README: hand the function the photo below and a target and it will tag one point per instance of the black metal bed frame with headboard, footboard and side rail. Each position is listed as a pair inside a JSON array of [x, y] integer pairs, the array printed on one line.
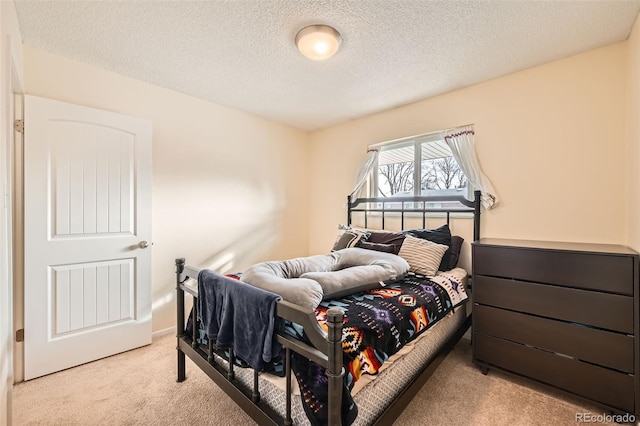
[[325, 348]]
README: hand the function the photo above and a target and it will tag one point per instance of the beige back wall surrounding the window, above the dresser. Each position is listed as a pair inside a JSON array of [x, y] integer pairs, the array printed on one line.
[[551, 138]]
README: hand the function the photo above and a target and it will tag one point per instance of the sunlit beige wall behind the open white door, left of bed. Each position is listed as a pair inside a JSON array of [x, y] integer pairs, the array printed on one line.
[[229, 188]]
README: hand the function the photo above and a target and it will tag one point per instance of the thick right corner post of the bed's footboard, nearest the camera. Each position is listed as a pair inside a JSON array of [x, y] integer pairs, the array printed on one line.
[[335, 372]]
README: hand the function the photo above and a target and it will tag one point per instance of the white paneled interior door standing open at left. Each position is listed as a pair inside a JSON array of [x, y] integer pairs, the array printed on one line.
[[87, 226]]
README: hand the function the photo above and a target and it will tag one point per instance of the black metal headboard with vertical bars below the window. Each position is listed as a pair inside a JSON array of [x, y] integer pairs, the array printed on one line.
[[416, 205]]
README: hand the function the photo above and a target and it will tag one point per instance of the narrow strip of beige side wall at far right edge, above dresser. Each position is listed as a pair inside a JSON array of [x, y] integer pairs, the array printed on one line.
[[633, 138]]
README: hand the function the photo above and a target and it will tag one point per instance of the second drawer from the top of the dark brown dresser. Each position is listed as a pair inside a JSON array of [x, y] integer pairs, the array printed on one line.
[[608, 311]]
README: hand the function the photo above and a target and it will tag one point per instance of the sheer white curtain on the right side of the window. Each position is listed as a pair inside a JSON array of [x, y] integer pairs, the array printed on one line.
[[461, 143]]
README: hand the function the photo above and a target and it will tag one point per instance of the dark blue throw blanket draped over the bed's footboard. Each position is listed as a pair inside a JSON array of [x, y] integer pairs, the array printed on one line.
[[238, 316]]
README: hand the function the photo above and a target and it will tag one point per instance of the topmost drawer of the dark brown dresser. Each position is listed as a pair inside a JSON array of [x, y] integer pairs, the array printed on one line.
[[610, 273]]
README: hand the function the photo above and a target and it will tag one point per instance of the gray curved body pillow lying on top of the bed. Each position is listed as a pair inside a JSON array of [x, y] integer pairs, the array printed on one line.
[[306, 281]]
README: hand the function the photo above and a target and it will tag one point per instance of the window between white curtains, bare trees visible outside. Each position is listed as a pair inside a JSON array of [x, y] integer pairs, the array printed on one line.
[[422, 165]]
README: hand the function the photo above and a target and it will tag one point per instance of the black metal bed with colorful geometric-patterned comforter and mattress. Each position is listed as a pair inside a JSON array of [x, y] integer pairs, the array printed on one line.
[[314, 341]]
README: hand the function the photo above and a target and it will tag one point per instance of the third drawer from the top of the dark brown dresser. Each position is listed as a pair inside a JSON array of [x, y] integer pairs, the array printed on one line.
[[600, 347]]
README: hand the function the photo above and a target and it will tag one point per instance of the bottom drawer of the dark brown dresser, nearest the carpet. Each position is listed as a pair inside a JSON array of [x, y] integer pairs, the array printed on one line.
[[596, 383]]
